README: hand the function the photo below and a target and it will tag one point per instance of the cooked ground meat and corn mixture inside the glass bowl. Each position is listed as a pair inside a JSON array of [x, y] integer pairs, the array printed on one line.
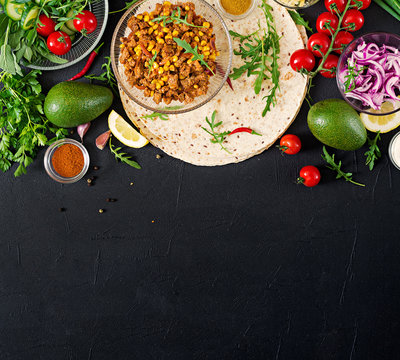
[[154, 62]]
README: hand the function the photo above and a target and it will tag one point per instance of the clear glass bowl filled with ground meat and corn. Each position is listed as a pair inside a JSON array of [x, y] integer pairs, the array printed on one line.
[[171, 57]]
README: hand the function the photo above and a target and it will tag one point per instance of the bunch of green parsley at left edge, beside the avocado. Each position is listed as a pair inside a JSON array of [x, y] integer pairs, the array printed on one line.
[[23, 125]]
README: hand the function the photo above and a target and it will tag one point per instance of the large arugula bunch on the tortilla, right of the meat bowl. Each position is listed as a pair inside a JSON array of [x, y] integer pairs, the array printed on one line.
[[260, 52]]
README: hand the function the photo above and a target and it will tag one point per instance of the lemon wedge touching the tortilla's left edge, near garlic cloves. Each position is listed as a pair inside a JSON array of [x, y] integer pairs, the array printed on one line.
[[125, 132]]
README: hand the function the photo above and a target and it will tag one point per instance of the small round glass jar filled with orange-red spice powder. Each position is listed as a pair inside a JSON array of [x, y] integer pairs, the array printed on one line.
[[66, 161]]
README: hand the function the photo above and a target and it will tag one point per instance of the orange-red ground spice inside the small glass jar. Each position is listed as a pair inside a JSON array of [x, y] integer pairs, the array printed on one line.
[[68, 160]]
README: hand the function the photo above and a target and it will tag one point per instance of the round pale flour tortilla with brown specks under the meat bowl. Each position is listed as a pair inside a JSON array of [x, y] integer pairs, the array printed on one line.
[[182, 135]]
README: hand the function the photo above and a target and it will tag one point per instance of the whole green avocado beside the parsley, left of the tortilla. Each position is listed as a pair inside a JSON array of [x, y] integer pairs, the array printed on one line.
[[70, 104]]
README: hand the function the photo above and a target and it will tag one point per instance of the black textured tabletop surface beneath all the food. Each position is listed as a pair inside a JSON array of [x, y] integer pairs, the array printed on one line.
[[240, 263]]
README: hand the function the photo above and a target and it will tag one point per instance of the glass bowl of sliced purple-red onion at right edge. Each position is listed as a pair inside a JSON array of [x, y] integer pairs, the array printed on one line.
[[368, 73]]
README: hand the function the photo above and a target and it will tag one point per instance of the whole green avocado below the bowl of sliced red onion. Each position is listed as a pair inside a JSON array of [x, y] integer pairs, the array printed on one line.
[[336, 124]]
